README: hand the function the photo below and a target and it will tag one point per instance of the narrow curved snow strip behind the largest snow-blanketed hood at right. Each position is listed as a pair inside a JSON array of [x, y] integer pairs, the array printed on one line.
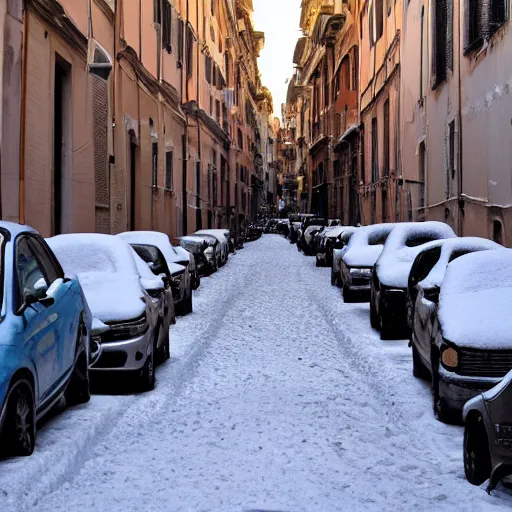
[[448, 248]]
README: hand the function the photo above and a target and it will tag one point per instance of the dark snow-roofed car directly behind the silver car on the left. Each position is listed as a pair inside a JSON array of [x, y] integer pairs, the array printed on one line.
[[151, 246]]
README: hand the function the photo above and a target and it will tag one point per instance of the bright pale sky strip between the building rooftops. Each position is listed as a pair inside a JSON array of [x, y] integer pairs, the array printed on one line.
[[279, 19]]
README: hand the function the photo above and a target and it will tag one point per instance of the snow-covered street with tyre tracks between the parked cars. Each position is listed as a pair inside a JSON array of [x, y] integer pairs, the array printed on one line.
[[279, 397]]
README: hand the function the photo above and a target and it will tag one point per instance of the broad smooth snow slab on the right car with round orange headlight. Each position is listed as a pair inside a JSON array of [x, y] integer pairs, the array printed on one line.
[[474, 305]]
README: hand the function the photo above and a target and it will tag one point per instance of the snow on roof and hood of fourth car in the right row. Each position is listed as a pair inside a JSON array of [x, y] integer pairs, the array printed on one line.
[[361, 252]]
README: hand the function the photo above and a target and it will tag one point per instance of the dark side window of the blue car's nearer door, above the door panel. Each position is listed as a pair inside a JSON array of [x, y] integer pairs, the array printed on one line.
[[29, 273]]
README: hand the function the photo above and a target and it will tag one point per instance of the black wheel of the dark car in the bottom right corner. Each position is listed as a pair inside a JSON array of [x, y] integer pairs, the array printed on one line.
[[477, 456]]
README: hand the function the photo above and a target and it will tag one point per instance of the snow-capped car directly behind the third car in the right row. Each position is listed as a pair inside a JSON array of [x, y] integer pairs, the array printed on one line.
[[363, 250]]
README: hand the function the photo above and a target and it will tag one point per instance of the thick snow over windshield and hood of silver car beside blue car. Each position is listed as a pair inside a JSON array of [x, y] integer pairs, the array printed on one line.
[[107, 272]]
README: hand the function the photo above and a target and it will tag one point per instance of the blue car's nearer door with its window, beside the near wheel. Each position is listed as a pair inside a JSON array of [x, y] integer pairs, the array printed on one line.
[[39, 321]]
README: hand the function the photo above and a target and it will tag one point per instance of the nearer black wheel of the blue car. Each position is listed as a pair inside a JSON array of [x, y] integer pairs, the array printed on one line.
[[20, 426]]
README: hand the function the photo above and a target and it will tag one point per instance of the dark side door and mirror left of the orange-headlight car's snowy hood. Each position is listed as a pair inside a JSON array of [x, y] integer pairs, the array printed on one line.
[[425, 301]]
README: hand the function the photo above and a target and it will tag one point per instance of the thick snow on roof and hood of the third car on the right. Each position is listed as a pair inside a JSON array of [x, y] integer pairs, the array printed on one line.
[[403, 245]]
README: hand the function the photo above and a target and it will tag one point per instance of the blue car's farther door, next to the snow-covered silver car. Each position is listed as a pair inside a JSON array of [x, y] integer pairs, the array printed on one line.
[[67, 304]]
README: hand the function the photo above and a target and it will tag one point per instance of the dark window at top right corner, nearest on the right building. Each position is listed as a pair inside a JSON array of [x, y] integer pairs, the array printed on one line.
[[483, 19]]
